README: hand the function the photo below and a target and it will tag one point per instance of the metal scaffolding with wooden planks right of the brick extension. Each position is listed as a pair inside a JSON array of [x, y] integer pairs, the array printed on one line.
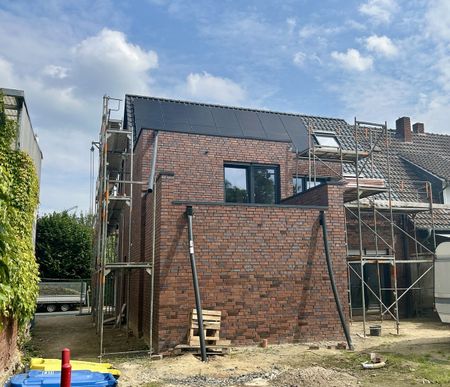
[[369, 194]]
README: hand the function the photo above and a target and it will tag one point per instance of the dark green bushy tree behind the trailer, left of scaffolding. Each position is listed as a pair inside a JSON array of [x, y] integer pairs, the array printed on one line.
[[64, 245]]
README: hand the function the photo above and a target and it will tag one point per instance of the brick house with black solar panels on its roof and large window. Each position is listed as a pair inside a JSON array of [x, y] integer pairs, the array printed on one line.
[[259, 248]]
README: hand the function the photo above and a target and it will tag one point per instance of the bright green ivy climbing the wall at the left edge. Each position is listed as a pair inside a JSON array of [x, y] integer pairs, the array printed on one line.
[[18, 203]]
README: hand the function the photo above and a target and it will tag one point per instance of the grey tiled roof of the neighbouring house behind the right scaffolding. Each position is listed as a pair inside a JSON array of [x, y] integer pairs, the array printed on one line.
[[409, 166]]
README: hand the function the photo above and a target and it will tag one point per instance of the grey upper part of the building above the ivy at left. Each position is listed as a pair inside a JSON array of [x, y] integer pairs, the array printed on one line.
[[16, 110]]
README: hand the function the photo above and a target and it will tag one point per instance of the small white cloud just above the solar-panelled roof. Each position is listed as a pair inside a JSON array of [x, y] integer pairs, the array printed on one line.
[[211, 88]]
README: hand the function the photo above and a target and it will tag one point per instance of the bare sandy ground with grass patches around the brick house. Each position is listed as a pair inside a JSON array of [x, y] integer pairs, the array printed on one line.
[[420, 354]]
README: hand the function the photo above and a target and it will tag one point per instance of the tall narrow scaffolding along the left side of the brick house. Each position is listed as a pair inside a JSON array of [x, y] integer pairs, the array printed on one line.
[[112, 265]]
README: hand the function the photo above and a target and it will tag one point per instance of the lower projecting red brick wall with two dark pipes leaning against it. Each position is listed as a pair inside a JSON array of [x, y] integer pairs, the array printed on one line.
[[264, 267]]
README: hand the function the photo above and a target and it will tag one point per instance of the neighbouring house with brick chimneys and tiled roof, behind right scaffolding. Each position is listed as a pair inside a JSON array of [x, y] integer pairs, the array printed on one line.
[[415, 167]]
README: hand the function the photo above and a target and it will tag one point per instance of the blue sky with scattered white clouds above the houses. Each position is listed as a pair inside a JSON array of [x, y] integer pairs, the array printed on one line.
[[376, 60]]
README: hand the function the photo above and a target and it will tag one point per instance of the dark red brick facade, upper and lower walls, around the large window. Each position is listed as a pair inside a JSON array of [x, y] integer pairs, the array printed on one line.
[[263, 266]]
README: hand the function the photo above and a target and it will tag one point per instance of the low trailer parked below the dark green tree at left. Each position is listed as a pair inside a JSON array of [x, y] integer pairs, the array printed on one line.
[[61, 295]]
